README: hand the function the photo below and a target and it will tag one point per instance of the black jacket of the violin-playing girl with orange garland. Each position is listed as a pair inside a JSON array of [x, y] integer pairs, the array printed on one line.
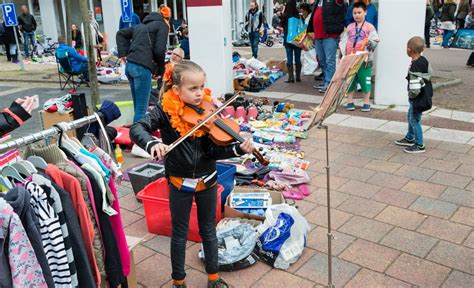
[[193, 158]]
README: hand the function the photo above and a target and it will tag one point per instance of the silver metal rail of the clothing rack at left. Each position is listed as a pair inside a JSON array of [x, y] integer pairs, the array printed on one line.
[[23, 141]]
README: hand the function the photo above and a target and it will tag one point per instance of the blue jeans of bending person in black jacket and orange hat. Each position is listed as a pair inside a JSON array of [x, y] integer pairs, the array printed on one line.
[[139, 78]]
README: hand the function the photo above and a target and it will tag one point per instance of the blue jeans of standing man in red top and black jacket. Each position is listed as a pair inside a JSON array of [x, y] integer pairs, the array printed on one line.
[[326, 50]]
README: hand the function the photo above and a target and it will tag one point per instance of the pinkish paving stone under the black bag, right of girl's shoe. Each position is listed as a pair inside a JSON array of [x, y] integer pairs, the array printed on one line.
[[246, 277]]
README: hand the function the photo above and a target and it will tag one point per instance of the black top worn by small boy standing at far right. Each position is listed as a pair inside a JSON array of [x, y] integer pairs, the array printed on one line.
[[423, 101]]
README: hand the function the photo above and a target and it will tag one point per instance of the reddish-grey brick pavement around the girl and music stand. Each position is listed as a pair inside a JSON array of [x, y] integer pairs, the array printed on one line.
[[398, 220]]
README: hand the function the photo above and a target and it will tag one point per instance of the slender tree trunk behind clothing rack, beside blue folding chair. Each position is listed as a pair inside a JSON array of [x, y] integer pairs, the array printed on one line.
[[89, 45]]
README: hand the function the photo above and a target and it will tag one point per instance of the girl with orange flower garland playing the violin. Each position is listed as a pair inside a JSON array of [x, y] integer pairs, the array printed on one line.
[[190, 167]]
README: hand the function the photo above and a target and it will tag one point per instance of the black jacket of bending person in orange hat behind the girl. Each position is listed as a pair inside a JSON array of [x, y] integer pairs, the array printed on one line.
[[145, 44]]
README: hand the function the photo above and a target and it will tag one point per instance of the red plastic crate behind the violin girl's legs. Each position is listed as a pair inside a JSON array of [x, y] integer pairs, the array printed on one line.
[[155, 197]]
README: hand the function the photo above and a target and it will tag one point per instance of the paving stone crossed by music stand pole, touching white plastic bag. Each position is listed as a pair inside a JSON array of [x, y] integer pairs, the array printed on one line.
[[318, 240]]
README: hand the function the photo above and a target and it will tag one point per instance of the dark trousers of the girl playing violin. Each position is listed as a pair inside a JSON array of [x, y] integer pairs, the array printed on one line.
[[180, 206]]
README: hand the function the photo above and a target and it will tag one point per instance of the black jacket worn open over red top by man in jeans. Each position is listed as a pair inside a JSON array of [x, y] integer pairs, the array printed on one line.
[[334, 12]]
